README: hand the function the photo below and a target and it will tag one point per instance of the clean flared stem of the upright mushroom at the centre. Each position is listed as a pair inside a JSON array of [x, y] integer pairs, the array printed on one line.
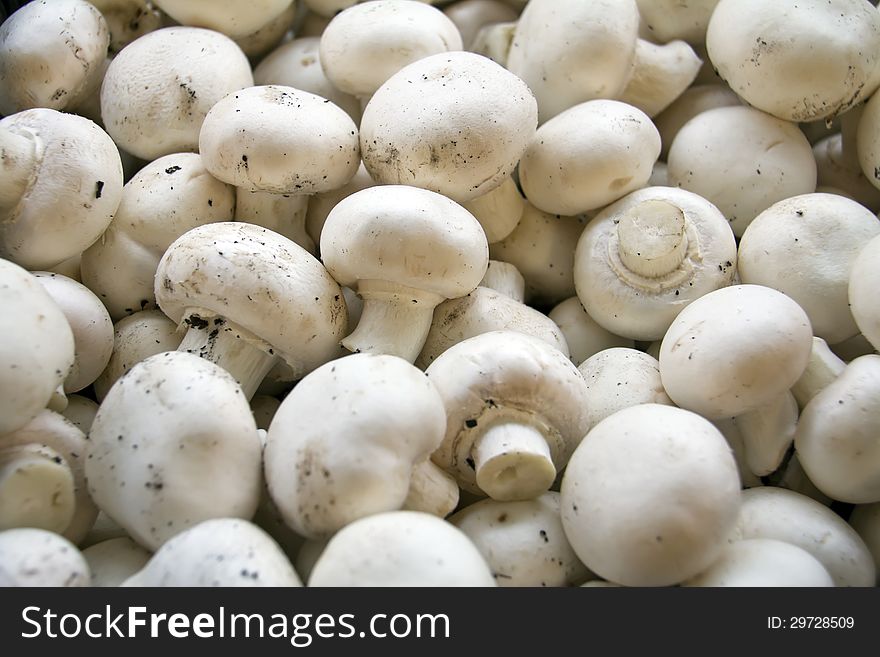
[[395, 320]]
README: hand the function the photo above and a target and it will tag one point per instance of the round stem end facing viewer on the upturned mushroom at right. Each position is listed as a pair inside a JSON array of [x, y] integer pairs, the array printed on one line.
[[652, 238]]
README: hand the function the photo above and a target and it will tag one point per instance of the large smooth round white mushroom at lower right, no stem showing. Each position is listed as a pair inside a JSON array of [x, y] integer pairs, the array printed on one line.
[[650, 496]]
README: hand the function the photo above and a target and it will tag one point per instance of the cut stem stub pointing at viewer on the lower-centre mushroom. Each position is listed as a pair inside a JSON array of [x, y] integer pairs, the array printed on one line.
[[513, 462]]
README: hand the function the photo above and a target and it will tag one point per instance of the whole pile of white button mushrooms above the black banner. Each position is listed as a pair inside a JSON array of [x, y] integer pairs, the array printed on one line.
[[440, 293]]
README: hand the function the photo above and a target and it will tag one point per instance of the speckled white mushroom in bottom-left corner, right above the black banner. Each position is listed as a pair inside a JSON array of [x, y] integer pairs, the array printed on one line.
[[36, 557]]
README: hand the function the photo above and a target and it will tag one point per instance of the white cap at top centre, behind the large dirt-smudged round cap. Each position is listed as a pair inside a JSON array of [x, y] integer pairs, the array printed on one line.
[[366, 44]]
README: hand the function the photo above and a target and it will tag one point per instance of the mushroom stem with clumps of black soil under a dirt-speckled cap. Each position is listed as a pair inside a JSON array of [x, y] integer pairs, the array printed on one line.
[[247, 358]]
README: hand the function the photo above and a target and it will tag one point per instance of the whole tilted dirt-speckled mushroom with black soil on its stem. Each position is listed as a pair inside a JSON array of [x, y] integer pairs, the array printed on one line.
[[250, 298]]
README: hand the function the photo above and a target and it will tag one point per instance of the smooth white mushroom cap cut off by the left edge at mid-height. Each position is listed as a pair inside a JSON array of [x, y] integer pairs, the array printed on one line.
[[37, 349]]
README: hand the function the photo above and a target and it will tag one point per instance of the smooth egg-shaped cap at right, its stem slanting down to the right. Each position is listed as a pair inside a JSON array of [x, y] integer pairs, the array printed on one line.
[[733, 349]]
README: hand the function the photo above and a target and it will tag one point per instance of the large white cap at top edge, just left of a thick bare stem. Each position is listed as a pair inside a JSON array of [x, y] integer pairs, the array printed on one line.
[[572, 51]]
